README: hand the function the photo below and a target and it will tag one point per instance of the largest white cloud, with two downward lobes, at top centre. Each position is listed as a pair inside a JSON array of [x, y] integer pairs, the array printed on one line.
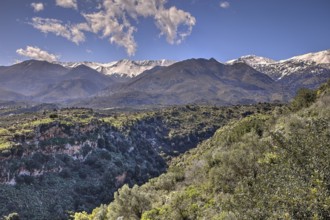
[[113, 22]]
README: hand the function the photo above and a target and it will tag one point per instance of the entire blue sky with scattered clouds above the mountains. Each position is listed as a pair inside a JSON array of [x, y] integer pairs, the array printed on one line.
[[108, 30]]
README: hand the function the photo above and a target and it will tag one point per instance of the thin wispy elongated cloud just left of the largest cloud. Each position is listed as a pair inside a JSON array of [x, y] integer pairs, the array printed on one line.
[[72, 32]]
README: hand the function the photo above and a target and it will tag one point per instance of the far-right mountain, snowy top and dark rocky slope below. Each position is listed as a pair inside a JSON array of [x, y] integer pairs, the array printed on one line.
[[309, 70]]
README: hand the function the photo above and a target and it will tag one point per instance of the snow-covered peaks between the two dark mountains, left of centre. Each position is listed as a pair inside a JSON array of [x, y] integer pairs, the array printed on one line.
[[122, 68]]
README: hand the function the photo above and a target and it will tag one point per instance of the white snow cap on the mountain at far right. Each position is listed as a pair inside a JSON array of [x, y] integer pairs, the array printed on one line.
[[311, 63]]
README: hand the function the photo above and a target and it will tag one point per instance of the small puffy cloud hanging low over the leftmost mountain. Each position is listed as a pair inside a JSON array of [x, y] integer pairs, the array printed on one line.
[[37, 53]]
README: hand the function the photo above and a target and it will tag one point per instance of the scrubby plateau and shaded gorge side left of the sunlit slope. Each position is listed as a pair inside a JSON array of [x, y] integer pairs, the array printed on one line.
[[61, 160]]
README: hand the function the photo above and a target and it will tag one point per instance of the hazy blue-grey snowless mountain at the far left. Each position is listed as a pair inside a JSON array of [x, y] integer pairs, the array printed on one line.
[[47, 82]]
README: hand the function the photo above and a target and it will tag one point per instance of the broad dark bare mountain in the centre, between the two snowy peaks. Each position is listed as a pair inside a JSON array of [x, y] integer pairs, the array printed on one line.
[[191, 81]]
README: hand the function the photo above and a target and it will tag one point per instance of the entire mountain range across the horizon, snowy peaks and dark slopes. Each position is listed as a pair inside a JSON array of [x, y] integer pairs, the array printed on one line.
[[248, 79]]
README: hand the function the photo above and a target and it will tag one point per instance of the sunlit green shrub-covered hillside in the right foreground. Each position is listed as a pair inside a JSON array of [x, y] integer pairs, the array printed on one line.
[[261, 167]]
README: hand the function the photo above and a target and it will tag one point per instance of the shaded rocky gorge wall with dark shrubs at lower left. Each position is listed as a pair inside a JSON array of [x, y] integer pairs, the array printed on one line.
[[77, 166]]
